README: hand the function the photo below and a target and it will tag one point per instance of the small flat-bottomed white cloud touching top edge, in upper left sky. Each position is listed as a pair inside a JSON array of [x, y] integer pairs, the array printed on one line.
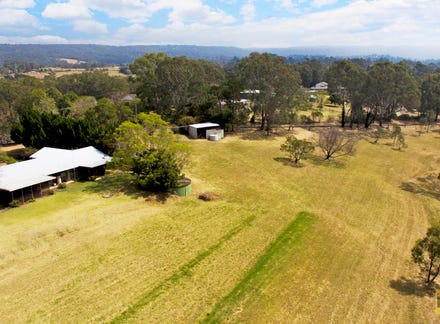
[[74, 9]]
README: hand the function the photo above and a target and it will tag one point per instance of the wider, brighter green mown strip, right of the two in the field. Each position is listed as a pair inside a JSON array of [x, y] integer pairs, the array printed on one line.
[[264, 268]]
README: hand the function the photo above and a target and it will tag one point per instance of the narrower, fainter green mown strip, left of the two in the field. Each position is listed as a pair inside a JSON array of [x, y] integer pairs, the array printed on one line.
[[183, 271]]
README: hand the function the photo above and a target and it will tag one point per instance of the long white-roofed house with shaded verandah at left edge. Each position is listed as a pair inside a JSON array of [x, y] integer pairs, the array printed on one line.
[[46, 168]]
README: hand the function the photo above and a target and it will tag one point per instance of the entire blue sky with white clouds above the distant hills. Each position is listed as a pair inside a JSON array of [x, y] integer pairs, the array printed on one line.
[[399, 27]]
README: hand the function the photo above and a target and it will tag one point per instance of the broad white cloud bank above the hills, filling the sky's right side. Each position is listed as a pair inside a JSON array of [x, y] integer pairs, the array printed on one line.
[[378, 23]]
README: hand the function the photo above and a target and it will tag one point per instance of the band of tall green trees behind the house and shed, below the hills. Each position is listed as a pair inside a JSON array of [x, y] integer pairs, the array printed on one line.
[[184, 91]]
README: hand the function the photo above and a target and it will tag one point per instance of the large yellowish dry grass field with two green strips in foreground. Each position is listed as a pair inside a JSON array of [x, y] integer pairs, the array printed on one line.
[[328, 242]]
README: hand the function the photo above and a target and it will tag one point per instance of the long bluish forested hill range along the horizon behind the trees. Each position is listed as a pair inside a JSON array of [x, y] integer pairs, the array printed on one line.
[[60, 54]]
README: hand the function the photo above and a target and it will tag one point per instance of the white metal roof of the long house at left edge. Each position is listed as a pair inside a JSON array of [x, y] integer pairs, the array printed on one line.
[[48, 161]]
